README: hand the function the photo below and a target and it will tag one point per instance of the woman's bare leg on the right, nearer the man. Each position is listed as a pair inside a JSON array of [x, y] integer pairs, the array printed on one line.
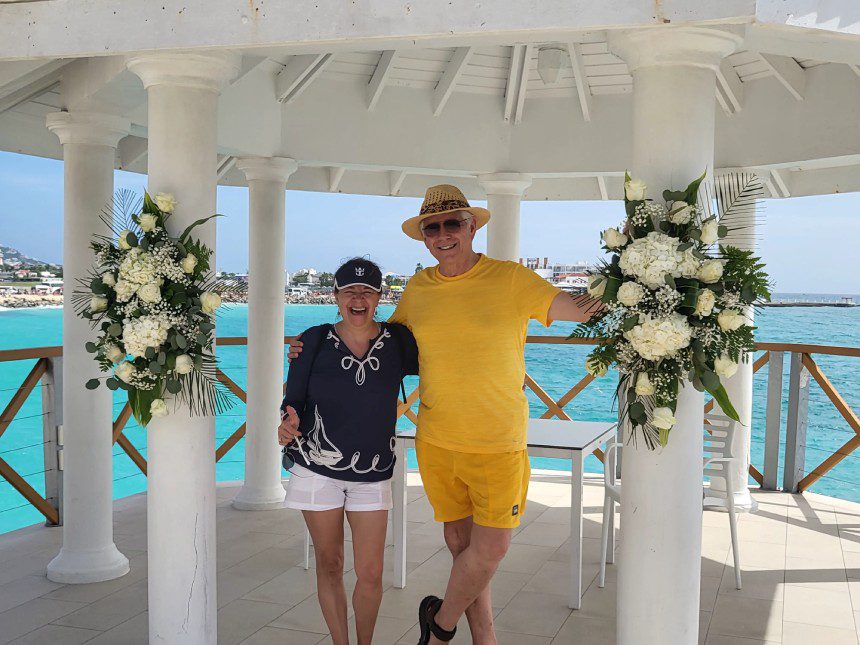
[[368, 547]]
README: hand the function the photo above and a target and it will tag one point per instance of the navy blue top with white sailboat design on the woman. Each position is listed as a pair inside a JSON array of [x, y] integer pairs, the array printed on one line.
[[347, 405]]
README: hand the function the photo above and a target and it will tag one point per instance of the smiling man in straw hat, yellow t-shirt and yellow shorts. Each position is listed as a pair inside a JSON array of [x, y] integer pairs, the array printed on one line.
[[469, 315]]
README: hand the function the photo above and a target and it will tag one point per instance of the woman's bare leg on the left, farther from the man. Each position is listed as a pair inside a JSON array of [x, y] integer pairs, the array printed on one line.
[[326, 529]]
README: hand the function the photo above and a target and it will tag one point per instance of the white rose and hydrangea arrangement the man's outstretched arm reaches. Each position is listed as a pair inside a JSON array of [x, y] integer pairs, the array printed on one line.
[[670, 301]]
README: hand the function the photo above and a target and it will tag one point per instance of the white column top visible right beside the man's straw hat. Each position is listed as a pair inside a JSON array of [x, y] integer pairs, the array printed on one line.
[[504, 194]]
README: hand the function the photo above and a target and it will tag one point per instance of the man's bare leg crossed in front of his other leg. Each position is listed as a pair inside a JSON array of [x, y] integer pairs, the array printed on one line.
[[471, 575]]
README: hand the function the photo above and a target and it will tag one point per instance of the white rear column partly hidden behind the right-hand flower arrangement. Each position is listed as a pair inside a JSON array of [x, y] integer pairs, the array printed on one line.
[[740, 389]]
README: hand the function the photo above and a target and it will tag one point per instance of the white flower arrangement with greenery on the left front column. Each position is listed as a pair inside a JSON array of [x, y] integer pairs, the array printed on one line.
[[153, 299]]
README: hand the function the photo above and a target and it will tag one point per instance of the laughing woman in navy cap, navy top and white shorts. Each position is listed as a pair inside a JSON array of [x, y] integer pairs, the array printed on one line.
[[339, 413]]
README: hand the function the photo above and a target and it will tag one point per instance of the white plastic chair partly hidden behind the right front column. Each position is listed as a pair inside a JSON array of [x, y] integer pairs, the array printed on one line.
[[718, 436]]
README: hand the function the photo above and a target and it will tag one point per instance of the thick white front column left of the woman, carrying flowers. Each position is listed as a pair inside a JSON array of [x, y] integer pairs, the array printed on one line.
[[183, 92]]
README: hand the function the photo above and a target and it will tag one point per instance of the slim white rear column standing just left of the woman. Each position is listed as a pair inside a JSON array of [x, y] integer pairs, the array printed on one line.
[[267, 183]]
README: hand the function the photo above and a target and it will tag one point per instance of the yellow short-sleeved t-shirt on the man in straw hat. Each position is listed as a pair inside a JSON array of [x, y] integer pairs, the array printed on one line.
[[471, 333]]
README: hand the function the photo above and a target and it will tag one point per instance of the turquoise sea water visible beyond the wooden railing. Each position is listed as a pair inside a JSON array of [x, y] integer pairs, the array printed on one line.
[[555, 368]]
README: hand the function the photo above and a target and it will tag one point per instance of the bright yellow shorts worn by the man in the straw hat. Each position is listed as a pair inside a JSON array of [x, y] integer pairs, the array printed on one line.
[[489, 487]]
